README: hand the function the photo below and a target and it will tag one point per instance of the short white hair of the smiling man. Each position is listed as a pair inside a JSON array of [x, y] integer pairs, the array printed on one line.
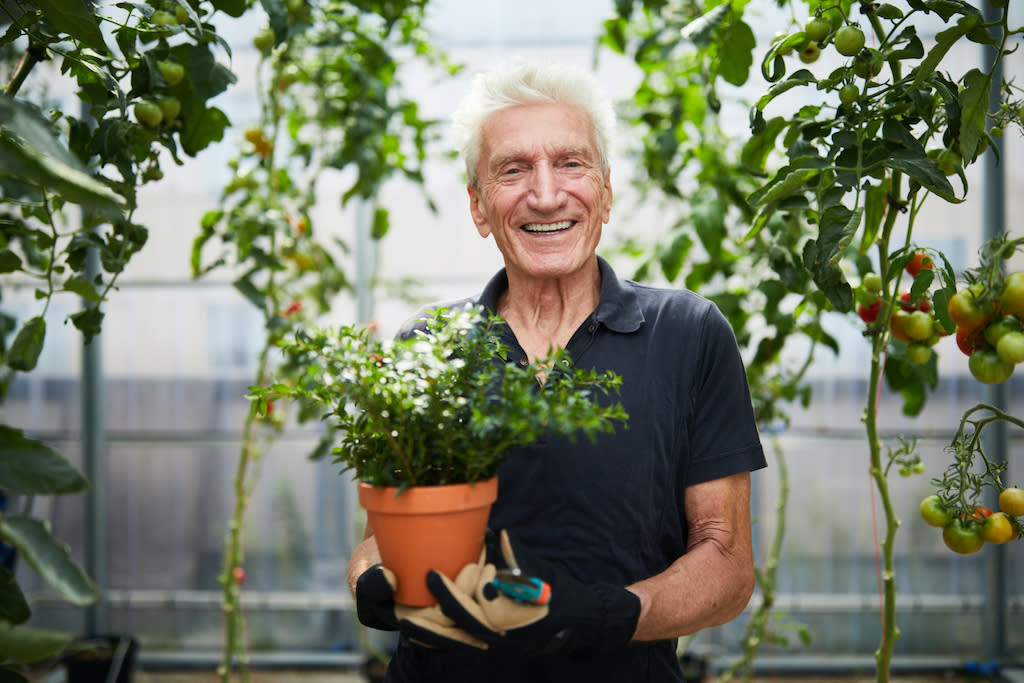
[[521, 82]]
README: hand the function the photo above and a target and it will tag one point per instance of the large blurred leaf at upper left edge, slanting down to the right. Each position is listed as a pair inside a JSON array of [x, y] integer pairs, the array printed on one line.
[[32, 154]]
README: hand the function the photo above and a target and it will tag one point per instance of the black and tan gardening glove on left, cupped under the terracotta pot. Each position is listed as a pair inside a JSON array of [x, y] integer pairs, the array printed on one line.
[[430, 627]]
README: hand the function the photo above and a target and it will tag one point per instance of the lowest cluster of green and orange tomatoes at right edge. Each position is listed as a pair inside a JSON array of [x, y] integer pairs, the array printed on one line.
[[967, 534]]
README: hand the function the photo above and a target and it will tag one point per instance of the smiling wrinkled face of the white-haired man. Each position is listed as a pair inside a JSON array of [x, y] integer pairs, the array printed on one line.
[[542, 194]]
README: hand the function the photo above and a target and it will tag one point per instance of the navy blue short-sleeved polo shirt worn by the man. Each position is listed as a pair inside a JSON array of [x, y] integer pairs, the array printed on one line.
[[613, 511]]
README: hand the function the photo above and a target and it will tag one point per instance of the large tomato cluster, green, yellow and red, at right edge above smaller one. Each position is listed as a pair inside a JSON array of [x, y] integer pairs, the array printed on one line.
[[991, 327]]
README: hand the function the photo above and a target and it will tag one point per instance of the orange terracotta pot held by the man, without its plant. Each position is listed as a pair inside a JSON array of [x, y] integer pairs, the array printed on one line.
[[429, 528]]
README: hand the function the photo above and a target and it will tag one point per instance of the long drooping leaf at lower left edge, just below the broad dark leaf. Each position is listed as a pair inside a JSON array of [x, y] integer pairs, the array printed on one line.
[[50, 559]]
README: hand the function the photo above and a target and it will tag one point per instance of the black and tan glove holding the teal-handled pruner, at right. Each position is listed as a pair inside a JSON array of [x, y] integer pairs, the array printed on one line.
[[580, 619]]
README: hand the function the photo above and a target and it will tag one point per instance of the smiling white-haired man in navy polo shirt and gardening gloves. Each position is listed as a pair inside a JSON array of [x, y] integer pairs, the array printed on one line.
[[645, 536]]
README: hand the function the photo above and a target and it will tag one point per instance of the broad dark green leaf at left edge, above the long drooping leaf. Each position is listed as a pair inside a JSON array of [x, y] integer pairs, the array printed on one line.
[[28, 467]]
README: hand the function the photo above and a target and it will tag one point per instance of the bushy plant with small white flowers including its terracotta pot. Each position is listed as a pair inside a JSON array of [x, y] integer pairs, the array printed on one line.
[[433, 416]]
